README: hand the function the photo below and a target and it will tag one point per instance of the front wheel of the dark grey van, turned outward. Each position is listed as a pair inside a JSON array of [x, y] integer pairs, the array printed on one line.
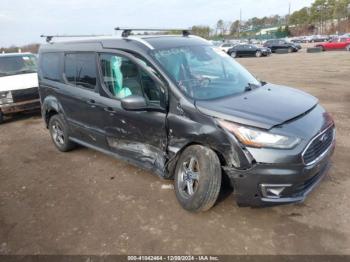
[[197, 178]]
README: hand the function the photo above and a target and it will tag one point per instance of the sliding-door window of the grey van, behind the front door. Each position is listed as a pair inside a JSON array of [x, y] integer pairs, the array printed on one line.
[[80, 69]]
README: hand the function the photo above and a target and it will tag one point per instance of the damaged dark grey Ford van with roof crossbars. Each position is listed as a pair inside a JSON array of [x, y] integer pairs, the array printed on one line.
[[184, 109]]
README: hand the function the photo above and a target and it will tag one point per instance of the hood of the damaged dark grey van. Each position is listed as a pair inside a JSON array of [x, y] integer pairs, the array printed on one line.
[[263, 107]]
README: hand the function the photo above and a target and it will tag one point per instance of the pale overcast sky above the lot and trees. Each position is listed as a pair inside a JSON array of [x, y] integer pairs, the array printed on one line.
[[23, 21]]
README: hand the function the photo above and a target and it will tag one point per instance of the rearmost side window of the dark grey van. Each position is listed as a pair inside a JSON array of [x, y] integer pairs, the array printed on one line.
[[50, 66]]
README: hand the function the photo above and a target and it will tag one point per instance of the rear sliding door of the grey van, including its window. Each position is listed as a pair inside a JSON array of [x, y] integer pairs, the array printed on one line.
[[79, 96]]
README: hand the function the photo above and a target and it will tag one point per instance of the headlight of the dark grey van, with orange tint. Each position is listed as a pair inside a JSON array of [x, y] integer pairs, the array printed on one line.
[[257, 138]]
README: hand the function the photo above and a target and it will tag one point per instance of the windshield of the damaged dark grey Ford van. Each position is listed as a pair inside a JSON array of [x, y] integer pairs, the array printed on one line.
[[205, 72]]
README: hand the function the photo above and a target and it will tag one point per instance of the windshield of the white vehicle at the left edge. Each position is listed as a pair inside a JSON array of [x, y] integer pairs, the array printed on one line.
[[17, 64]]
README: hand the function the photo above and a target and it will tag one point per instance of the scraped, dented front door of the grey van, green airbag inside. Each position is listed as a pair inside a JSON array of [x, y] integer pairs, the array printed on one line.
[[137, 135]]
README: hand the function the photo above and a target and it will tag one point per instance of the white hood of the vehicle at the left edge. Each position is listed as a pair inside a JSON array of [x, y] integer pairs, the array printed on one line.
[[16, 82]]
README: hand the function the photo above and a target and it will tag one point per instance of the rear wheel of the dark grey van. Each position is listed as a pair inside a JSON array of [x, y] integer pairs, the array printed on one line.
[[59, 134]]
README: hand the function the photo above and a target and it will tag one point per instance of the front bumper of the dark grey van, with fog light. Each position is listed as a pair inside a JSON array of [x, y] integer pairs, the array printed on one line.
[[276, 184]]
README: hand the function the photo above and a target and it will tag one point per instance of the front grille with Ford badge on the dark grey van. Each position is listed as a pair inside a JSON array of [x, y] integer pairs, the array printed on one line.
[[318, 146]]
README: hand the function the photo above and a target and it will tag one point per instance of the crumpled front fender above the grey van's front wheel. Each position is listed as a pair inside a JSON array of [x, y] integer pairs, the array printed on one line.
[[186, 126]]
